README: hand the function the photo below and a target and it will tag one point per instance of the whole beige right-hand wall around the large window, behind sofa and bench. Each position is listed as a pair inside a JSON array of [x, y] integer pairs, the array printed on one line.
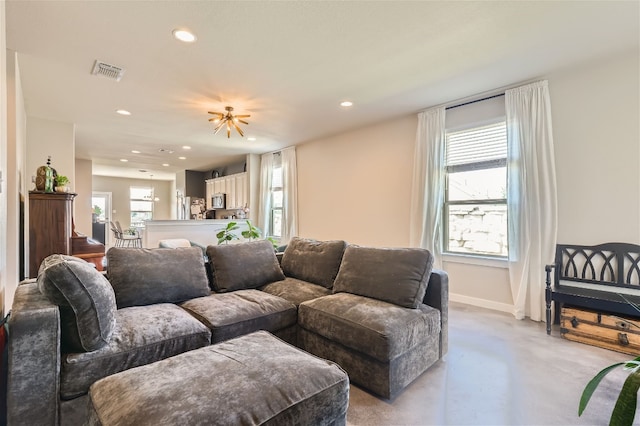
[[356, 186]]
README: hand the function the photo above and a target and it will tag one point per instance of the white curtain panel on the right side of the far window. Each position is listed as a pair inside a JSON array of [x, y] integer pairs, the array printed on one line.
[[290, 195]]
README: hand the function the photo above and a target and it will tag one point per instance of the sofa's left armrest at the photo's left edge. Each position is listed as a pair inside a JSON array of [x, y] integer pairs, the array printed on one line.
[[33, 383]]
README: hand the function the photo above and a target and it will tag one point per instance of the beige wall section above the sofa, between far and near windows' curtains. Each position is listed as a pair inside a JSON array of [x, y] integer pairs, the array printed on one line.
[[356, 186]]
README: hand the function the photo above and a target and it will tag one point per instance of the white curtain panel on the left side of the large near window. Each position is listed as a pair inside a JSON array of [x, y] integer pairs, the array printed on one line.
[[427, 192]]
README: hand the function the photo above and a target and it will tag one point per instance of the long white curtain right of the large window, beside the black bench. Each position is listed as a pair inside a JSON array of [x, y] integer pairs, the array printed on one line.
[[532, 198]]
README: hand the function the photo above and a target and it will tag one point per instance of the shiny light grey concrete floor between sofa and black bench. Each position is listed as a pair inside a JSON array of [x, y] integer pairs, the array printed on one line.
[[499, 371]]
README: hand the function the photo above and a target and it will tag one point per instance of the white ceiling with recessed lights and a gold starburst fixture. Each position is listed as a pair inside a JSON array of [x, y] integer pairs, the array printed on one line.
[[287, 63]]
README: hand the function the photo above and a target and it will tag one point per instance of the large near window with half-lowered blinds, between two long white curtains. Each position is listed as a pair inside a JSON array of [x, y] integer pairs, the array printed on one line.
[[475, 210]]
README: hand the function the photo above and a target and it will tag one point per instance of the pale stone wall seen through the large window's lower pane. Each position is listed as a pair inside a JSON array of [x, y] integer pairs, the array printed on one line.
[[480, 229]]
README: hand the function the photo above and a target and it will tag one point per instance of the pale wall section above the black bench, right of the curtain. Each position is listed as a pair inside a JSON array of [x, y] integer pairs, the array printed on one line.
[[597, 145]]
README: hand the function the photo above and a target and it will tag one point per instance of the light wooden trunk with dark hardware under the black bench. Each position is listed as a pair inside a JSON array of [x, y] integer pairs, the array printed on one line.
[[602, 329]]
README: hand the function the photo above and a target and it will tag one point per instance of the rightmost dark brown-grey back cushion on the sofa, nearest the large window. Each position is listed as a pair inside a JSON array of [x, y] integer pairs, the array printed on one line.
[[394, 275]]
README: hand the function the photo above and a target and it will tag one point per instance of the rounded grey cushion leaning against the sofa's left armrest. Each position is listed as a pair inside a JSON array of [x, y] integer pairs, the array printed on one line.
[[86, 300]]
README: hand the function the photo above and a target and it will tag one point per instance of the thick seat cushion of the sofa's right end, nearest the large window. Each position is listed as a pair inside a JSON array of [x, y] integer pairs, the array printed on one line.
[[381, 330]]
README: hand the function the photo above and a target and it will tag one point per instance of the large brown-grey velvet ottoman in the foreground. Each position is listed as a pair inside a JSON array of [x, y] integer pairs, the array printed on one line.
[[250, 380]]
